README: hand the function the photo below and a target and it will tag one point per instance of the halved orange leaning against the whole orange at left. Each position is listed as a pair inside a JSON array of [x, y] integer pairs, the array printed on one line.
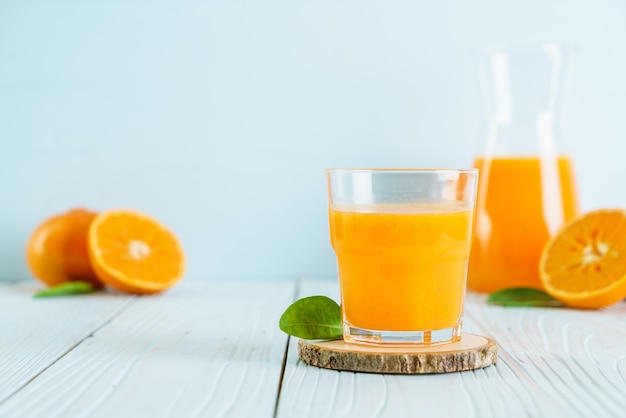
[[134, 253]]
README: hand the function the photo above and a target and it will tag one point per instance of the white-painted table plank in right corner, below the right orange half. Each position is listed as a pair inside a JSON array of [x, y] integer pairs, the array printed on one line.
[[577, 358]]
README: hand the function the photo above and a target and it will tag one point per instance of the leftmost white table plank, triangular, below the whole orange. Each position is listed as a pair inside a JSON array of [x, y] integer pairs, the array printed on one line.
[[37, 332]]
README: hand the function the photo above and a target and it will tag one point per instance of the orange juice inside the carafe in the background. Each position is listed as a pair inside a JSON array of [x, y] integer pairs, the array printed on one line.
[[521, 202]]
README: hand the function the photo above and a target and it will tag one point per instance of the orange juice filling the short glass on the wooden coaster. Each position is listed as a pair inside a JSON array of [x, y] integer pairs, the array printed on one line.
[[402, 266]]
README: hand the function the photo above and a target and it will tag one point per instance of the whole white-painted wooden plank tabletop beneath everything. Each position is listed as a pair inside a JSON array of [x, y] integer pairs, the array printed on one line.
[[212, 349]]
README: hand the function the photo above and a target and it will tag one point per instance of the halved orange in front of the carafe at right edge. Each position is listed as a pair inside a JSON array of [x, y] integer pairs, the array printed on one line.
[[584, 264]]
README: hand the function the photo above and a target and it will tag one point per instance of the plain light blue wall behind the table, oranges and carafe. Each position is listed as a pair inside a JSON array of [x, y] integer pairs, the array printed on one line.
[[219, 117]]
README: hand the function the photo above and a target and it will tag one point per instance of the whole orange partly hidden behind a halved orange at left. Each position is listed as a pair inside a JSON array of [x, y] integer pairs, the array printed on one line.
[[57, 249]]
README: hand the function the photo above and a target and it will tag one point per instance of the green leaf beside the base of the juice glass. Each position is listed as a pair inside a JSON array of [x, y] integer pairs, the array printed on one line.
[[313, 318]]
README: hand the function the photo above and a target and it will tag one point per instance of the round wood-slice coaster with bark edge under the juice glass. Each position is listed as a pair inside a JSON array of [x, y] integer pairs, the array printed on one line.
[[472, 352]]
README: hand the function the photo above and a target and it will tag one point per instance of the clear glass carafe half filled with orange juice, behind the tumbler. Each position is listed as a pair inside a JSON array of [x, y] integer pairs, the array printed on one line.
[[526, 188]]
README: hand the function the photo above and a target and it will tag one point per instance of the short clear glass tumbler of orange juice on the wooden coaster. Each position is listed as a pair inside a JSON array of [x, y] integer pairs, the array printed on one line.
[[402, 240]]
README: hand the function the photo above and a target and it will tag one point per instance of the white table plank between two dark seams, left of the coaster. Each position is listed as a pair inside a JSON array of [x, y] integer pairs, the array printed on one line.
[[203, 349]]
